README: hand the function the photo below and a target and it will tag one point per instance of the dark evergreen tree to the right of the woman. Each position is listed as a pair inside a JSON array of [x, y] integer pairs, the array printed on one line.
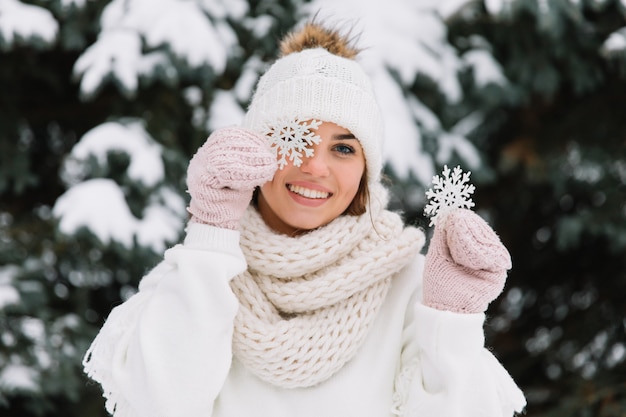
[[556, 140]]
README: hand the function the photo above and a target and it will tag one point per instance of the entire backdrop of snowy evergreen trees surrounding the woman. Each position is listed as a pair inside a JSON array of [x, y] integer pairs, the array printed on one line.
[[532, 115]]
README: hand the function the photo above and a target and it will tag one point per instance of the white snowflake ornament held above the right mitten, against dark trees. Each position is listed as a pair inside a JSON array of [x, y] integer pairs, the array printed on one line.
[[450, 192]]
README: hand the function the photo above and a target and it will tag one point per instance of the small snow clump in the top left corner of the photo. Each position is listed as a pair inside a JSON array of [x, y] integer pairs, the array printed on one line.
[[25, 21]]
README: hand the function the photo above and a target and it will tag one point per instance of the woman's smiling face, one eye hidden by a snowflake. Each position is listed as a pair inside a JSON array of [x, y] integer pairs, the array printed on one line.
[[315, 193]]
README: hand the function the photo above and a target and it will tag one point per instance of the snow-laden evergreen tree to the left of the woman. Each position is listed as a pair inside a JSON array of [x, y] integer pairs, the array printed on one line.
[[103, 102]]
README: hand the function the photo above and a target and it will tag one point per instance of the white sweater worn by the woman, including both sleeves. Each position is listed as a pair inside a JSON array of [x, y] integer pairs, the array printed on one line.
[[172, 351]]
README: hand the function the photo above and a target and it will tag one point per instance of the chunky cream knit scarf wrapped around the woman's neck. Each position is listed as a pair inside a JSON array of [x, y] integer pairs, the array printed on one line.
[[307, 302]]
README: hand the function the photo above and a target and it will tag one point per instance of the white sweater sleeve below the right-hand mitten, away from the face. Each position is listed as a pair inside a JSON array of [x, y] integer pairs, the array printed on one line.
[[446, 370]]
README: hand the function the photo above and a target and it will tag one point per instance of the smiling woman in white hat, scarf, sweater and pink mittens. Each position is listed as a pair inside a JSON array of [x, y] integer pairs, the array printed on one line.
[[313, 300]]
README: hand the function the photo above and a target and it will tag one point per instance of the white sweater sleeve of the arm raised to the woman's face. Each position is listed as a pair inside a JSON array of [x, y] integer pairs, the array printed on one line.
[[166, 351]]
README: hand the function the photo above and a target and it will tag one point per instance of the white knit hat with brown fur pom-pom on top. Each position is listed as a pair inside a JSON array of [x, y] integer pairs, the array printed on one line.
[[317, 78]]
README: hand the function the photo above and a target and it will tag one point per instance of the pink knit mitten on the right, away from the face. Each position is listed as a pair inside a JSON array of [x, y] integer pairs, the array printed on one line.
[[466, 264]]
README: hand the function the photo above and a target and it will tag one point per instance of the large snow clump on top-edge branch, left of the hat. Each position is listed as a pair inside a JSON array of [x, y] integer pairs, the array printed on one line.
[[180, 27]]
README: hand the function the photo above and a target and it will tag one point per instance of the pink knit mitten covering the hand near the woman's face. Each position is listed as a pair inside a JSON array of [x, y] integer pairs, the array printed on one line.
[[223, 174]]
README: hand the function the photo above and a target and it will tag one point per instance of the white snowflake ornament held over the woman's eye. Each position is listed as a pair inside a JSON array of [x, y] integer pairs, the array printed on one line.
[[292, 139]]
